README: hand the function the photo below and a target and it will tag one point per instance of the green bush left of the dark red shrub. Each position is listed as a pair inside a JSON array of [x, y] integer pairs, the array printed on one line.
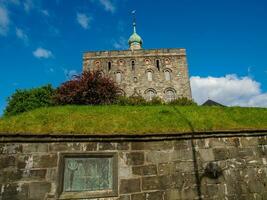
[[29, 99]]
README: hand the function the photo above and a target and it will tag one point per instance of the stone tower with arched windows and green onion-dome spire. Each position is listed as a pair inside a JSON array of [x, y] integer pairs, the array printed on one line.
[[145, 72]]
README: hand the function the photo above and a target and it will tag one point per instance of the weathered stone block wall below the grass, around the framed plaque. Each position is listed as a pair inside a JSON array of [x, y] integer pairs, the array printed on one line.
[[148, 170]]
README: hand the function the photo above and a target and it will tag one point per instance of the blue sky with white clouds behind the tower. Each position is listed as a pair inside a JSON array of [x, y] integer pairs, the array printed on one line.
[[42, 41]]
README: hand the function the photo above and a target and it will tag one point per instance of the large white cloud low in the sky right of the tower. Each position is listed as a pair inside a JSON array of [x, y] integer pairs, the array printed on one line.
[[229, 90]]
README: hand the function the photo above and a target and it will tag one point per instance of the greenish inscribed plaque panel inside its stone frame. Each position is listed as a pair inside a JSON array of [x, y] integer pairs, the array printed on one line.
[[88, 174]]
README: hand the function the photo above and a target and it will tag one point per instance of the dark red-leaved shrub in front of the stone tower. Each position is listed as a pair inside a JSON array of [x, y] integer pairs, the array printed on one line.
[[89, 88]]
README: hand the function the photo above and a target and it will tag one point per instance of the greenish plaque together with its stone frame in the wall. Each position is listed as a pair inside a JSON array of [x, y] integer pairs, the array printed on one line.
[[88, 175]]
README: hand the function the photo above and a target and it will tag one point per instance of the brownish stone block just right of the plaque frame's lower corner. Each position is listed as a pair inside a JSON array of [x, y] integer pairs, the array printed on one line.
[[130, 186]]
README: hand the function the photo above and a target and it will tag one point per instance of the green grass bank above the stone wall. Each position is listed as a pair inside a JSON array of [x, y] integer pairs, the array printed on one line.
[[133, 120]]
